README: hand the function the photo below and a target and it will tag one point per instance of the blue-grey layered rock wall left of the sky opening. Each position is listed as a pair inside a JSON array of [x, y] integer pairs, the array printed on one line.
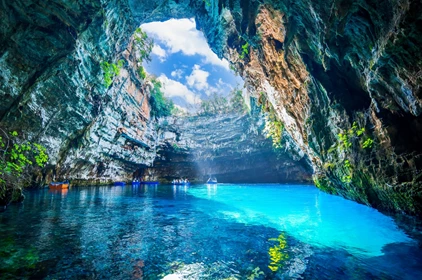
[[53, 91]]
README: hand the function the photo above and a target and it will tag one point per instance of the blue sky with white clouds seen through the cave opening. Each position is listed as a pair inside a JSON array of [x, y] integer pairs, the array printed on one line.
[[185, 64]]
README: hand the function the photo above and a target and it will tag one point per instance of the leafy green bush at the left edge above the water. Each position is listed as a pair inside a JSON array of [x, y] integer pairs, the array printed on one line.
[[16, 163]]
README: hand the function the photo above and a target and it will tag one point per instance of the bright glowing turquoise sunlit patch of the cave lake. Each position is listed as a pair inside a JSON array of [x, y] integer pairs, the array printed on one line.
[[307, 214]]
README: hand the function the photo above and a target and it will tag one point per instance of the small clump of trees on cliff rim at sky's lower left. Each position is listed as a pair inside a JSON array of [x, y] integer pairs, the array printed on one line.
[[160, 105]]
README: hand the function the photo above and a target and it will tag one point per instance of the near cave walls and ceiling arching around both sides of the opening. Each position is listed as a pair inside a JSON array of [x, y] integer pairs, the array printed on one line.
[[343, 76]]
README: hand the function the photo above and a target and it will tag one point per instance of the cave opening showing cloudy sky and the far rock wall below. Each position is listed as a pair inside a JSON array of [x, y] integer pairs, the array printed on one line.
[[212, 131]]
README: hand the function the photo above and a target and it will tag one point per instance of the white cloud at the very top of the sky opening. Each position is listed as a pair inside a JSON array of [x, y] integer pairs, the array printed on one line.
[[181, 35]]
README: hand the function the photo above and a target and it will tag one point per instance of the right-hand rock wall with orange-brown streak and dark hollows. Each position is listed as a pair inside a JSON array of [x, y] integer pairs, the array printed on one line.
[[344, 78]]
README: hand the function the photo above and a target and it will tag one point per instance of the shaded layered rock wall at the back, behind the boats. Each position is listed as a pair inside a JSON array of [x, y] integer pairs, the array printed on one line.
[[233, 148]]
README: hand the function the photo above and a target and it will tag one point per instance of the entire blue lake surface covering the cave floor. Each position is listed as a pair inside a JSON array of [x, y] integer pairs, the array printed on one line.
[[200, 232]]
